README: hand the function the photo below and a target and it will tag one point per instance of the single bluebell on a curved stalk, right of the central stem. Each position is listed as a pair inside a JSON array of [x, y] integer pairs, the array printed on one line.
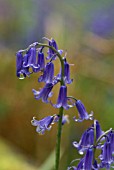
[[83, 115]]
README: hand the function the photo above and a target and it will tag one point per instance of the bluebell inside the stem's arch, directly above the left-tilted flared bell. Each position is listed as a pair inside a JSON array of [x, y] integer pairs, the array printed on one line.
[[48, 74]]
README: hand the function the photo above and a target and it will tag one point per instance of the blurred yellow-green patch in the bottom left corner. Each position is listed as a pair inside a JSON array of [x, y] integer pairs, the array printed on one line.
[[11, 159]]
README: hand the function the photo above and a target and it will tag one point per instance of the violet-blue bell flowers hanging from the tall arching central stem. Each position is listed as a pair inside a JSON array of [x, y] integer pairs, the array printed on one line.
[[33, 60]]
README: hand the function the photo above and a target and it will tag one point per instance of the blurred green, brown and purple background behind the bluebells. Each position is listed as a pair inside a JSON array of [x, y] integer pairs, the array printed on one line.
[[83, 28]]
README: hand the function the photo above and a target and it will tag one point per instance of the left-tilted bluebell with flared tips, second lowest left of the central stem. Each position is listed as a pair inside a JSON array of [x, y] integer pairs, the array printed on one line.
[[44, 93]]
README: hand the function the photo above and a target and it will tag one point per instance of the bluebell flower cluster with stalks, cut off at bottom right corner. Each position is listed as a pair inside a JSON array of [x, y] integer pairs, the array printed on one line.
[[91, 140]]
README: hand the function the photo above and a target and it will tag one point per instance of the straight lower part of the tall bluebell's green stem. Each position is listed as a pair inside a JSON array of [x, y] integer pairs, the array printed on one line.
[[58, 141]]
